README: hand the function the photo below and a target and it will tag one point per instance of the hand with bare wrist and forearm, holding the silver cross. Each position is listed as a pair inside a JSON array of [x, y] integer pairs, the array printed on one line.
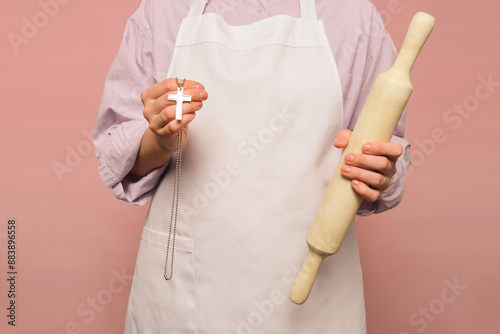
[[159, 142]]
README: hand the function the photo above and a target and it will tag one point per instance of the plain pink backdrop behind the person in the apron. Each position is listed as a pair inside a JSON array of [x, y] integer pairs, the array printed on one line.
[[74, 237]]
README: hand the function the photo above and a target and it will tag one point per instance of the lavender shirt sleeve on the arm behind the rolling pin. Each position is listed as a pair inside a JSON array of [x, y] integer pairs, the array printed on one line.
[[381, 55]]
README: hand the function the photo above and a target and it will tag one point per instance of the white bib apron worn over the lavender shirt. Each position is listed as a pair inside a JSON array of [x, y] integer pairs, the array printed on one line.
[[257, 163]]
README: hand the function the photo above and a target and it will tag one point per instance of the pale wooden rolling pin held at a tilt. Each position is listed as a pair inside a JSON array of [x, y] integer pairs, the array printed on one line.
[[377, 122]]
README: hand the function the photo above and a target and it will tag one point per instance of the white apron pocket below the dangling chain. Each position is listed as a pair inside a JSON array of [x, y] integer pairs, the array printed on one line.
[[157, 305]]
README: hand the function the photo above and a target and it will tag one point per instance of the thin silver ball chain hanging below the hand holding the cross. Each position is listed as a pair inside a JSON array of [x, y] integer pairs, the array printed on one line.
[[175, 209]]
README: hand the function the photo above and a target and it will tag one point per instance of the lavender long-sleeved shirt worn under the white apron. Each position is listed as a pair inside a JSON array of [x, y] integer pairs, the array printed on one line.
[[361, 46]]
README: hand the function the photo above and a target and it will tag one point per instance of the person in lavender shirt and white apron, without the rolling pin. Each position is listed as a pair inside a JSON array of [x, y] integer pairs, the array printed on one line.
[[287, 79]]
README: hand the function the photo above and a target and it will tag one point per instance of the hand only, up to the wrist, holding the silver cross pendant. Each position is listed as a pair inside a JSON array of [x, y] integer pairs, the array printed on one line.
[[160, 111]]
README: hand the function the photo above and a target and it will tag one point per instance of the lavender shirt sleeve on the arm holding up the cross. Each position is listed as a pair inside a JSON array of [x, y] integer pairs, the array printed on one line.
[[120, 123]]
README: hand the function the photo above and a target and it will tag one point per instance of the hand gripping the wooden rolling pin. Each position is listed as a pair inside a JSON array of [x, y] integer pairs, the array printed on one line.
[[370, 171]]
